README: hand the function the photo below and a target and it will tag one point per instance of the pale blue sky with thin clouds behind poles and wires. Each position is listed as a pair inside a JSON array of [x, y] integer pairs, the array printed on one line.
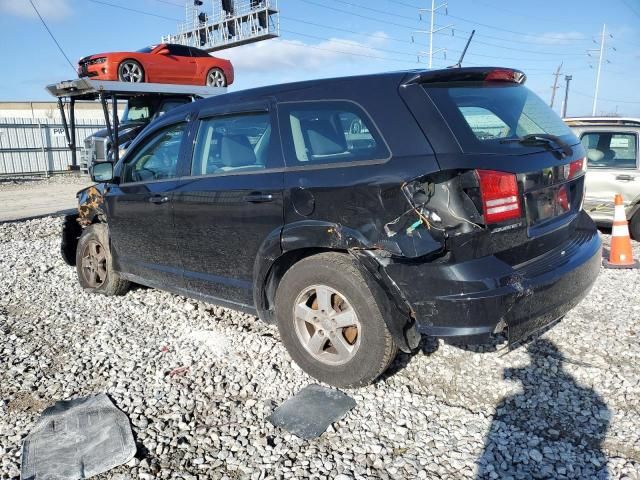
[[323, 38]]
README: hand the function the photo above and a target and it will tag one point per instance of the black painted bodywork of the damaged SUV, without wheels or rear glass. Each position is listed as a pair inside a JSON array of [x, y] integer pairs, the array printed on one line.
[[228, 237]]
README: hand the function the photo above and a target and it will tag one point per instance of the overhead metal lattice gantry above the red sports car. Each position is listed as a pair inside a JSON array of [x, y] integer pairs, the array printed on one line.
[[223, 24]]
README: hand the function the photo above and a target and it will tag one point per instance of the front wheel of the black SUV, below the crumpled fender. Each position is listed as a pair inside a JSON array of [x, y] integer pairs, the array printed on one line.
[[94, 264]]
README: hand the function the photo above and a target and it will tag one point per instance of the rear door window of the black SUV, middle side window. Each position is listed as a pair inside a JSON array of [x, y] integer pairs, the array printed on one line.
[[233, 143]]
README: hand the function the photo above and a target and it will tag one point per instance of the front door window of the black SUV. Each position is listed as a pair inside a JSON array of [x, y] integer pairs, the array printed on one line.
[[157, 159]]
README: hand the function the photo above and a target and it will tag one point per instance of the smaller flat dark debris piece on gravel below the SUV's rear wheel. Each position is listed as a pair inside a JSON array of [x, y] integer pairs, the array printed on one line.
[[309, 412]]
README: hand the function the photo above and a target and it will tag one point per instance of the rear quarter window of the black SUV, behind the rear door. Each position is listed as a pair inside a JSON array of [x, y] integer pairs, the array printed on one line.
[[330, 132]]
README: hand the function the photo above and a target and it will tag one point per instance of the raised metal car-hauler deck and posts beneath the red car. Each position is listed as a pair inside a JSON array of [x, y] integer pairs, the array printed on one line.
[[109, 93]]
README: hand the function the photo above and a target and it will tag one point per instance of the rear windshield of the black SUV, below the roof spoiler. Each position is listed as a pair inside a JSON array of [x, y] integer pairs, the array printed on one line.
[[482, 116]]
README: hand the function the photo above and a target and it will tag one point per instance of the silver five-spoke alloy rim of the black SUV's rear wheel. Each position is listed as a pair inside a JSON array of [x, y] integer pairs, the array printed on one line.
[[327, 325]]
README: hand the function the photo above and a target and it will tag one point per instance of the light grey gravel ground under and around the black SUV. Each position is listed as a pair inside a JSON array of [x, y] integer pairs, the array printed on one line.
[[198, 383]]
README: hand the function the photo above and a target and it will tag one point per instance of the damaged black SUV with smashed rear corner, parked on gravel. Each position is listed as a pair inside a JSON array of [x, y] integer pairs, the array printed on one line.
[[358, 213]]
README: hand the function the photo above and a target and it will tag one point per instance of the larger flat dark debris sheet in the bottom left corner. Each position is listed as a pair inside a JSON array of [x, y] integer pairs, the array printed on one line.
[[77, 439]]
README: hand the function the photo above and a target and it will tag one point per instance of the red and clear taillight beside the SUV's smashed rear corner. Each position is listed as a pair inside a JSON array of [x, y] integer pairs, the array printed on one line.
[[500, 196]]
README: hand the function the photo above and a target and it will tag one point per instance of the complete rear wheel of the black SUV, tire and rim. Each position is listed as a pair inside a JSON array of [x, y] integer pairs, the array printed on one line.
[[333, 280]]
